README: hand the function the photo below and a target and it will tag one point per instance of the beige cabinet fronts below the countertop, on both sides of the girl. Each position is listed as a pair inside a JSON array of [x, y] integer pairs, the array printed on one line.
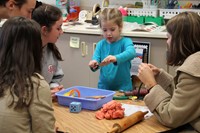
[[75, 66]]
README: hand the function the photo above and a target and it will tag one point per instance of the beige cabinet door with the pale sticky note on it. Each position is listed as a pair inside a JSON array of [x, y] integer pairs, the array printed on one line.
[[75, 66]]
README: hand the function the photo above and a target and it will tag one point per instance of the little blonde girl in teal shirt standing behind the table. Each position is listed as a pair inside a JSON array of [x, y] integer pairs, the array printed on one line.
[[113, 54]]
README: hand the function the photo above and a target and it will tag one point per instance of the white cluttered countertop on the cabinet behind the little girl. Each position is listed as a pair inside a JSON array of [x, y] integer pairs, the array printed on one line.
[[129, 29]]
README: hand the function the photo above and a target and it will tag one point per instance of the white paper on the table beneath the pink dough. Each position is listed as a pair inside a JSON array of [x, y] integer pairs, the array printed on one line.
[[130, 109]]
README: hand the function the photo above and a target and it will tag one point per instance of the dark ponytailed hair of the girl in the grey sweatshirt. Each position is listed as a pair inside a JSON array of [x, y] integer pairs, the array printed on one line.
[[47, 15]]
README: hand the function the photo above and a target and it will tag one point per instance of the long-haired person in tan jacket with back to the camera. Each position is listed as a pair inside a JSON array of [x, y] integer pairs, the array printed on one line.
[[25, 97]]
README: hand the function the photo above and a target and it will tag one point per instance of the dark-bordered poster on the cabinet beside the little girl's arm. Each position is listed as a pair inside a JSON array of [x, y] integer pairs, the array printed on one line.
[[142, 55]]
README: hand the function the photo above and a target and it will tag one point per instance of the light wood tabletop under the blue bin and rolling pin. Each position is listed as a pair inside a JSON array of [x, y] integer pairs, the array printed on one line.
[[86, 122]]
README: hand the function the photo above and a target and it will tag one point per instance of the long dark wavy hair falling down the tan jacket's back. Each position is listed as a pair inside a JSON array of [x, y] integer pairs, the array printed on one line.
[[20, 58]]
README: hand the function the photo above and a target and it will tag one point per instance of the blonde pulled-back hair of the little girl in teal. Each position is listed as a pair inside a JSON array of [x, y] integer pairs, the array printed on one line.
[[111, 14]]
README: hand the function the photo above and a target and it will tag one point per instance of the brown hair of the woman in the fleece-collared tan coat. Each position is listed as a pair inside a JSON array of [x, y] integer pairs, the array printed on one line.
[[185, 31]]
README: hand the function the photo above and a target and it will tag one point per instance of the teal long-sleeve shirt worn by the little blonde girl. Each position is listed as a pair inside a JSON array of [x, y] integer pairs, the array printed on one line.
[[115, 76]]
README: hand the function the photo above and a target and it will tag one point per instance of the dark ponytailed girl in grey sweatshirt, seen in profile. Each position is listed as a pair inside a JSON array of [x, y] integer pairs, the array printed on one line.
[[50, 19]]
